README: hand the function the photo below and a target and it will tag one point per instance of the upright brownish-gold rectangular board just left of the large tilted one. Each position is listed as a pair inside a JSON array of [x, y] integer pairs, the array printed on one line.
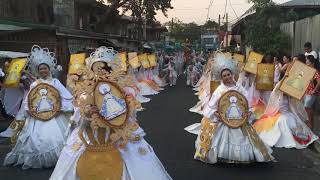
[[265, 77]]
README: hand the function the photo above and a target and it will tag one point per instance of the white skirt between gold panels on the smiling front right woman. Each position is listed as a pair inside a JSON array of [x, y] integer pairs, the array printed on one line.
[[231, 145]]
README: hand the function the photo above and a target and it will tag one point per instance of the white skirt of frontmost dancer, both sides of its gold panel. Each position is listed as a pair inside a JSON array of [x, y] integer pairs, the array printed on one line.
[[136, 166]]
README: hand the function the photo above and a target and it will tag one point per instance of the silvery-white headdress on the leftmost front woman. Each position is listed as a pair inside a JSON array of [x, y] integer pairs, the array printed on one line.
[[39, 56]]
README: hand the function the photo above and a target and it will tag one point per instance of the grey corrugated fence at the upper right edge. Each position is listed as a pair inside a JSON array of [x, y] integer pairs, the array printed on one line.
[[305, 30]]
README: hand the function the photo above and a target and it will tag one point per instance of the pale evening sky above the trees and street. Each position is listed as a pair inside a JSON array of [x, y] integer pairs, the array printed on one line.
[[197, 10]]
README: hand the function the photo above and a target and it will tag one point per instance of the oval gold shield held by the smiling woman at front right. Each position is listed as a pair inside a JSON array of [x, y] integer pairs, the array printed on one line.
[[233, 109]]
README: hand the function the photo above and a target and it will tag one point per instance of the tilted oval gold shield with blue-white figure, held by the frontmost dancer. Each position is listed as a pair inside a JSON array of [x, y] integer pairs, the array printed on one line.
[[112, 104]]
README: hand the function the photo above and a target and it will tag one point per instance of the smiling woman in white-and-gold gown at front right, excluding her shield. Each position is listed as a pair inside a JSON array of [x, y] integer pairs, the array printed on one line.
[[217, 141]]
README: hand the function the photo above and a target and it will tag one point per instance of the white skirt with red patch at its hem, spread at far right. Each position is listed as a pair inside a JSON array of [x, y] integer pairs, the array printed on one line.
[[289, 132]]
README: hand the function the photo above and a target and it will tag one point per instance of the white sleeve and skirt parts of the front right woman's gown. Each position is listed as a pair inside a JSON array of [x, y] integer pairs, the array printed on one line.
[[228, 144]]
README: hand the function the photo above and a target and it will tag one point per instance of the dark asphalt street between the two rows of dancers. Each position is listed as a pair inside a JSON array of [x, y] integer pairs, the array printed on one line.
[[164, 121]]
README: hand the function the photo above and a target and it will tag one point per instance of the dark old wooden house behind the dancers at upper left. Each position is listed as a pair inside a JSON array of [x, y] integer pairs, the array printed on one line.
[[65, 27]]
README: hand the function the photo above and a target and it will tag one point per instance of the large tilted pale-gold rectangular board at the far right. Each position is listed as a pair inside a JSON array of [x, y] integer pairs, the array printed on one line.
[[296, 84]]
